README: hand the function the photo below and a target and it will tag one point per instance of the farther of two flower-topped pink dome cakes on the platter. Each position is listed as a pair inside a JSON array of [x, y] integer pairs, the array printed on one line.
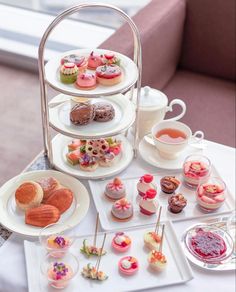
[[115, 190]]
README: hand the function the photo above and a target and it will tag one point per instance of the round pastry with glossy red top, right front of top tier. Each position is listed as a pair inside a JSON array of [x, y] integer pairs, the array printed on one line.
[[109, 75]]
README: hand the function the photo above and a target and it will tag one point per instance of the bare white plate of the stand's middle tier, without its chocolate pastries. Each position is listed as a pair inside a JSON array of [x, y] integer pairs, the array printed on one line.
[[59, 117]]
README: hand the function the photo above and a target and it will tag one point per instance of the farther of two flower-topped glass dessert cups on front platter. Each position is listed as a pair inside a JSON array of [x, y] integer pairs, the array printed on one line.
[[54, 237]]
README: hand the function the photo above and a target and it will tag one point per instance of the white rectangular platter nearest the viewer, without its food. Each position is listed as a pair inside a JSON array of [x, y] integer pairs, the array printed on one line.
[[177, 271]]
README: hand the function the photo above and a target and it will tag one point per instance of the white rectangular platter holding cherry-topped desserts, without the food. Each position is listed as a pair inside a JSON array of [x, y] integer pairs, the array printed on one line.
[[191, 211]]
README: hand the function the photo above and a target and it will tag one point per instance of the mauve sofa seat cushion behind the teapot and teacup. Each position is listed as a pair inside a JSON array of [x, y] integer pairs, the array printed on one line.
[[210, 104]]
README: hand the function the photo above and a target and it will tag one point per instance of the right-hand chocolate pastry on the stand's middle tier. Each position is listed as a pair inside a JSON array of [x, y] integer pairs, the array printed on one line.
[[104, 112]]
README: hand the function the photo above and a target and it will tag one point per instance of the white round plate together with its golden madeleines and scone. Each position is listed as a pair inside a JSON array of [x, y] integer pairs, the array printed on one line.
[[21, 201]]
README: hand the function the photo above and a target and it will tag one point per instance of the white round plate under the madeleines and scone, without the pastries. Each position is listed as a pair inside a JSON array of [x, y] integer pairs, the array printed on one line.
[[14, 219]]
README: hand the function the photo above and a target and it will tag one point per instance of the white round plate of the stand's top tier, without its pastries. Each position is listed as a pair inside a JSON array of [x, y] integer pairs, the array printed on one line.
[[52, 73]]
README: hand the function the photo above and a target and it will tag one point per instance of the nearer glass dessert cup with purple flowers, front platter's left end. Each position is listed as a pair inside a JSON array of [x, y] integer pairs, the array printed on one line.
[[59, 268]]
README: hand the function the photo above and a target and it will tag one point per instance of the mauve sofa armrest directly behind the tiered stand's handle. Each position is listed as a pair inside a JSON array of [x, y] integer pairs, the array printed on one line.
[[161, 26]]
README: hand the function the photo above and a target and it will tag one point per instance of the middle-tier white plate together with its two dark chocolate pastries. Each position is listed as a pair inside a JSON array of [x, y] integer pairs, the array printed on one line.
[[118, 112]]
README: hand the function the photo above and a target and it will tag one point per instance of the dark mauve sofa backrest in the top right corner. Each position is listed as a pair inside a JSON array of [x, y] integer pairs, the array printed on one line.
[[209, 38]]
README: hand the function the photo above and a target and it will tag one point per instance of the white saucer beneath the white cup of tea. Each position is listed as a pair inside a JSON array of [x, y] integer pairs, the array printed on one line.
[[150, 154]]
